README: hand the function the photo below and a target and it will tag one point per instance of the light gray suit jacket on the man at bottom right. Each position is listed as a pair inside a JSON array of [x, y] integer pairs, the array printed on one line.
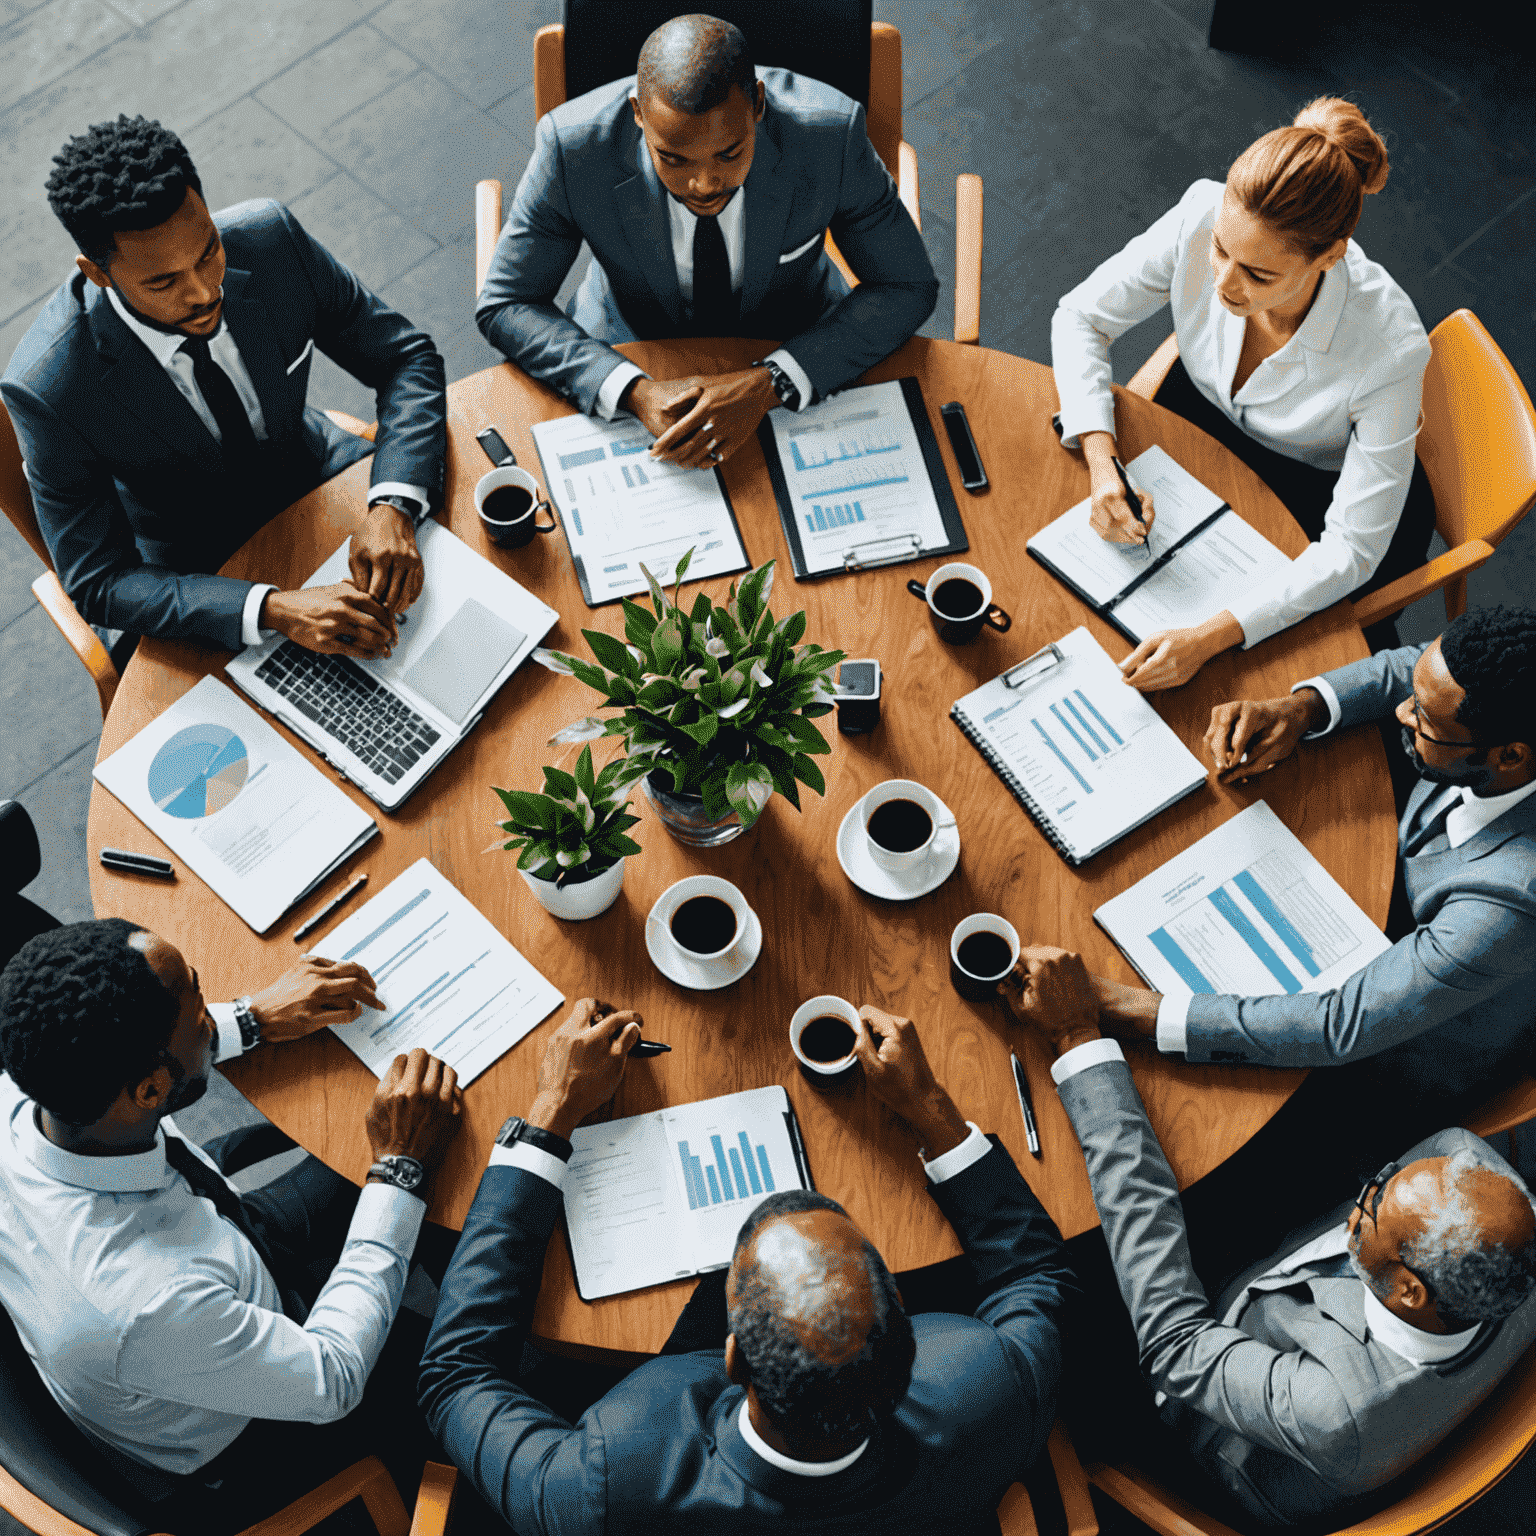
[[1291, 1406]]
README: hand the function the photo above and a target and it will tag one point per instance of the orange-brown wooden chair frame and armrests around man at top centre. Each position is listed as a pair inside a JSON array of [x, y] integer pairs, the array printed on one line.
[[884, 121]]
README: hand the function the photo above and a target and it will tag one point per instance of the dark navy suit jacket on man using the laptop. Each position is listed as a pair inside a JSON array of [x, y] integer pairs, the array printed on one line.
[[131, 489]]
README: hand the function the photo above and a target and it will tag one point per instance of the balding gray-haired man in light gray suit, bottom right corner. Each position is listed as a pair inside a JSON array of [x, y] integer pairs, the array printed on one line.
[[1332, 1366]]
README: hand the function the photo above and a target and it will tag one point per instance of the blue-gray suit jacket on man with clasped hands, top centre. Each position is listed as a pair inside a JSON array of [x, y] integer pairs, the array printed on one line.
[[813, 168]]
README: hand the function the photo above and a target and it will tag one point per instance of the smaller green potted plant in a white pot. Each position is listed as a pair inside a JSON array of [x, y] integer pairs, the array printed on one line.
[[572, 838]]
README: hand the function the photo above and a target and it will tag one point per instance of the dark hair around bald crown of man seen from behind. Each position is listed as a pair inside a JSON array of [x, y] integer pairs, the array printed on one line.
[[795, 1389]]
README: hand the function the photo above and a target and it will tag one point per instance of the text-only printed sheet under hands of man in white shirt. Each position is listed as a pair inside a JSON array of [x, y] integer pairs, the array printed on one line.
[[448, 979]]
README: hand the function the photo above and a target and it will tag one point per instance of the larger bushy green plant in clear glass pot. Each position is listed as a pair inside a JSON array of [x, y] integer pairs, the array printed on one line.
[[717, 704]]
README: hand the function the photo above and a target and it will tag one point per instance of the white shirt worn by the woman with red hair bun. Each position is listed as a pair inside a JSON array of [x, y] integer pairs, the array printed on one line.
[[1342, 396]]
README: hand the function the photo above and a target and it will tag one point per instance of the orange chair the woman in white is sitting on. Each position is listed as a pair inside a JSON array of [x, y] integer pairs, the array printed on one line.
[[1478, 448]]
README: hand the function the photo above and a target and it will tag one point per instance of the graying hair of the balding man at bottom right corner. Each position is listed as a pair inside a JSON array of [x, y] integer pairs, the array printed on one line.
[[1474, 1282]]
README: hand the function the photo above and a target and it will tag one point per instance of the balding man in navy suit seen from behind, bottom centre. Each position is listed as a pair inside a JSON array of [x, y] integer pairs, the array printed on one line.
[[818, 1403]]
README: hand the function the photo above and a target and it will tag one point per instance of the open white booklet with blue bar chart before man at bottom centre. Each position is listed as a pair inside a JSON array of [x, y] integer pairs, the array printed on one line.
[[661, 1197]]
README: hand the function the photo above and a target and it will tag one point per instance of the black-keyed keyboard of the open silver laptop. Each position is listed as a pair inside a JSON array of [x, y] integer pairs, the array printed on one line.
[[374, 724]]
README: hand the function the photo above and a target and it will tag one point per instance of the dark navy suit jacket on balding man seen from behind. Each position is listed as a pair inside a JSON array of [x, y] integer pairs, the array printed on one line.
[[663, 1451]]
